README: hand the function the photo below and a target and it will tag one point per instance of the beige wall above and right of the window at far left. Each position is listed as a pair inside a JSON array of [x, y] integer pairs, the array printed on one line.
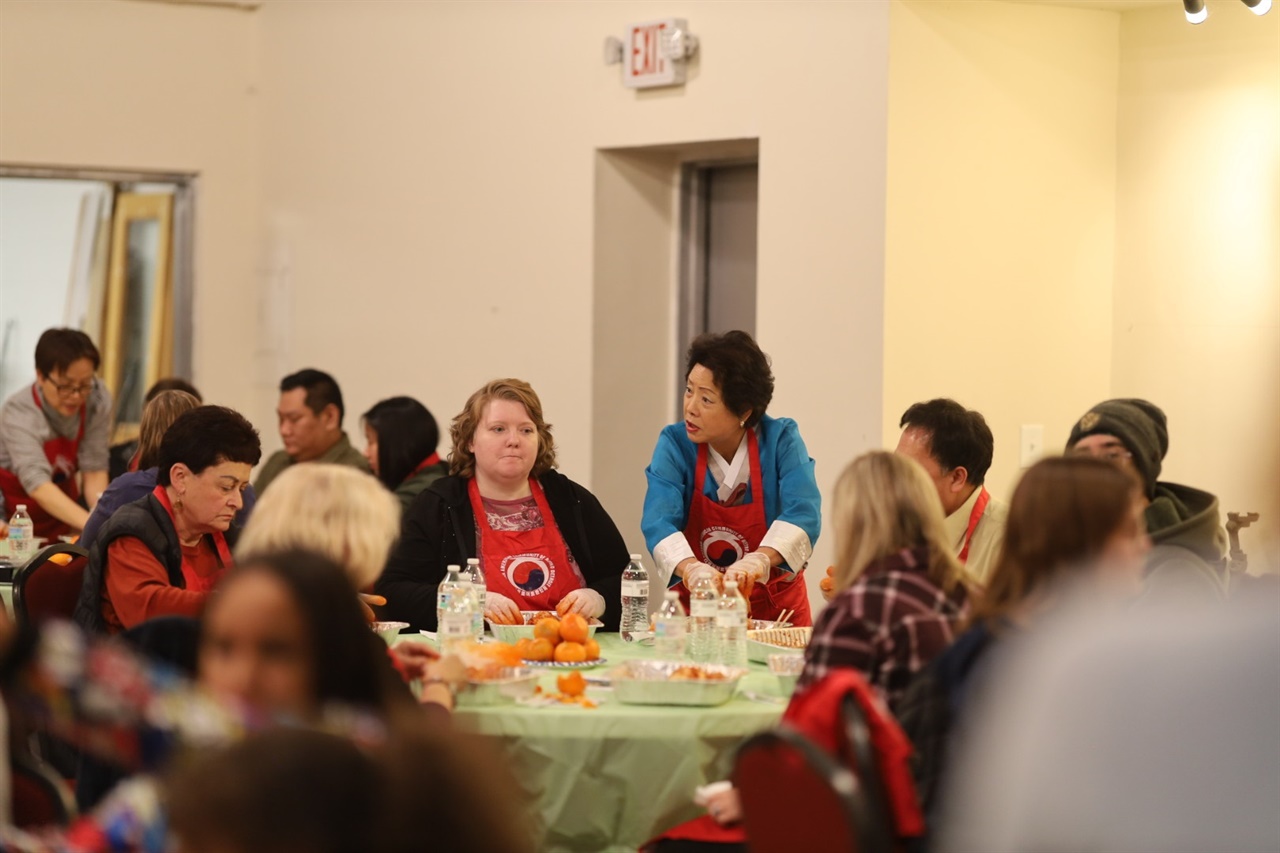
[[129, 85]]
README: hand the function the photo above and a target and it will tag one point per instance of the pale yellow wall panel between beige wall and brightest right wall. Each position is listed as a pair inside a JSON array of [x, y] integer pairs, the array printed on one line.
[[1002, 215]]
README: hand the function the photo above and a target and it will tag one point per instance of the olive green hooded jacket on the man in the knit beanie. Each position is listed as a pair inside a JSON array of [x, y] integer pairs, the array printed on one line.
[[1188, 545]]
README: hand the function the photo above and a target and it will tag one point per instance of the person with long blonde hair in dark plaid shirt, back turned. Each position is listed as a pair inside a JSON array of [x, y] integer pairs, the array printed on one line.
[[900, 590]]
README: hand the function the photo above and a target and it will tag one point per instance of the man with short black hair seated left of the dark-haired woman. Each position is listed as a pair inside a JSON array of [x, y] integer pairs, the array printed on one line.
[[310, 416]]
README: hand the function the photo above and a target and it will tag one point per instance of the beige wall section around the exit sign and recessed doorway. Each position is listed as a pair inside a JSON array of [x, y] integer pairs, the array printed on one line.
[[445, 156]]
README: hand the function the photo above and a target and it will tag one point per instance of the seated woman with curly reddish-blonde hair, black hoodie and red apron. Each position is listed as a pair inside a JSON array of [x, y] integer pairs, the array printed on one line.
[[543, 541]]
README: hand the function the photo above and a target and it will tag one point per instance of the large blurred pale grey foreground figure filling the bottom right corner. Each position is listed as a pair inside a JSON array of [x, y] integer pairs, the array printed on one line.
[[1150, 732]]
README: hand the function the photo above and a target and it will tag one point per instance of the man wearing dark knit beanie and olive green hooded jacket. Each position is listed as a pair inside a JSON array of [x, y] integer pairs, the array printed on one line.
[[1190, 545]]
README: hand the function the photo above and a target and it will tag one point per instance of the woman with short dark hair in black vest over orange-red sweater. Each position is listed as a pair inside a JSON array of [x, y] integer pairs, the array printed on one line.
[[163, 554]]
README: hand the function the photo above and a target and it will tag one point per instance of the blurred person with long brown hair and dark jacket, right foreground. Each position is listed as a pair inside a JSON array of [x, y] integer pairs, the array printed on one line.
[[1075, 531]]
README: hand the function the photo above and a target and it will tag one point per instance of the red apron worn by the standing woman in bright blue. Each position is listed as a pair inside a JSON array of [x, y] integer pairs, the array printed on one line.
[[721, 536]]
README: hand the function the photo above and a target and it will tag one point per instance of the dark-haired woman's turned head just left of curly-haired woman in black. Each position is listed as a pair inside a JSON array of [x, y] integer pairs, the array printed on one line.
[[401, 437]]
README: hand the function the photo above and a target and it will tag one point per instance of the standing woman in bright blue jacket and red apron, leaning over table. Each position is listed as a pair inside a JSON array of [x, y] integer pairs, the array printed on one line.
[[732, 490]]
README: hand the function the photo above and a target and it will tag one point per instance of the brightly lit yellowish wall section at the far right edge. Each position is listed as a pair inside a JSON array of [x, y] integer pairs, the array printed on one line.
[[1197, 299]]
